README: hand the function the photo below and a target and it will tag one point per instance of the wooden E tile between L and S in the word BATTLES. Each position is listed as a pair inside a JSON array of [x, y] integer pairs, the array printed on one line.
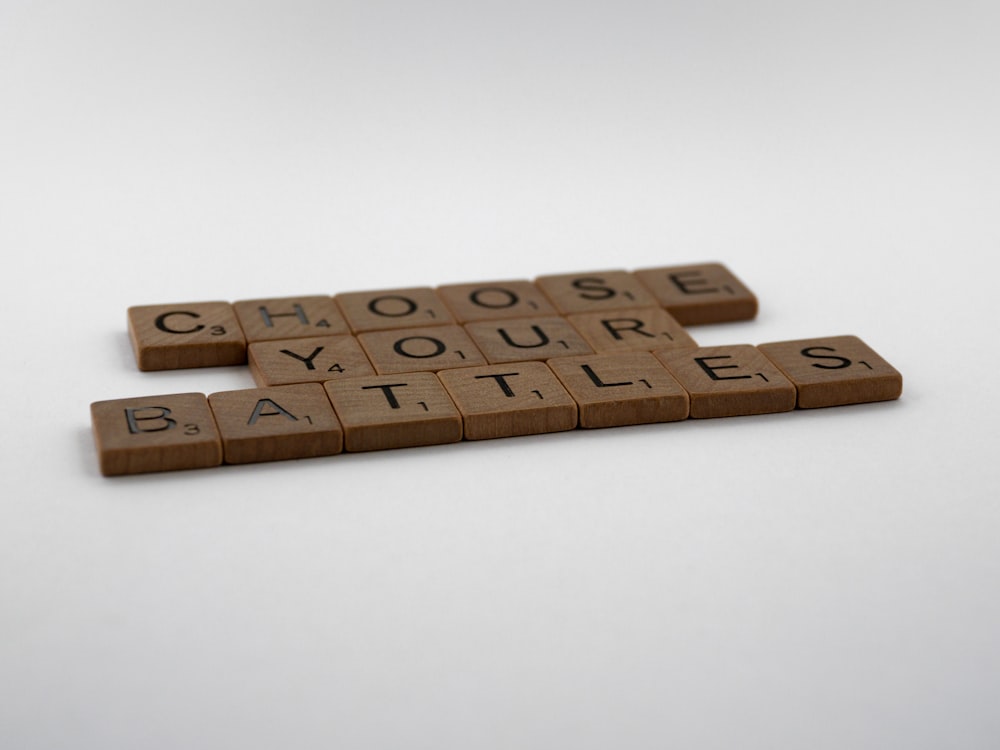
[[729, 381]]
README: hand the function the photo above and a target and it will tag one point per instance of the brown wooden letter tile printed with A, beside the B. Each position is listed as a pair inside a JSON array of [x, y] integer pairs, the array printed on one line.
[[274, 424]]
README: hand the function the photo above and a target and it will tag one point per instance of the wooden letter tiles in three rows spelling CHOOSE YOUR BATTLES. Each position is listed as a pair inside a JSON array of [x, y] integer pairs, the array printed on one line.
[[396, 368]]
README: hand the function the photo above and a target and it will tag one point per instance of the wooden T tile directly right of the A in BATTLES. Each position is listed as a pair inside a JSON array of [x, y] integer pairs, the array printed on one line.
[[395, 411]]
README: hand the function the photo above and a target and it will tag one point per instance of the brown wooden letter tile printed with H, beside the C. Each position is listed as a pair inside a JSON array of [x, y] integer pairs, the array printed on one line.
[[289, 318]]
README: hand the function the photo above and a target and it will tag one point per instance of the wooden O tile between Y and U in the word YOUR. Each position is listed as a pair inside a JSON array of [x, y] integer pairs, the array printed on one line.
[[420, 349]]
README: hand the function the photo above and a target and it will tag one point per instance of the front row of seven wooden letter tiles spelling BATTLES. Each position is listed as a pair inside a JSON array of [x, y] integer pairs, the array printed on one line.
[[383, 411]]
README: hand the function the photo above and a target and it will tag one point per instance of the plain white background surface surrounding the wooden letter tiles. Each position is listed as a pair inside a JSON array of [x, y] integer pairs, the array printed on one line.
[[822, 579]]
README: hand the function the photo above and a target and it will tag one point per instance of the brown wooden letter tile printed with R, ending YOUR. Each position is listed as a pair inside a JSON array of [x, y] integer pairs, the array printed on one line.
[[643, 329]]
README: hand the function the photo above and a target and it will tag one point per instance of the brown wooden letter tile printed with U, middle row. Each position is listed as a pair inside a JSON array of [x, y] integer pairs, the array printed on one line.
[[527, 339]]
